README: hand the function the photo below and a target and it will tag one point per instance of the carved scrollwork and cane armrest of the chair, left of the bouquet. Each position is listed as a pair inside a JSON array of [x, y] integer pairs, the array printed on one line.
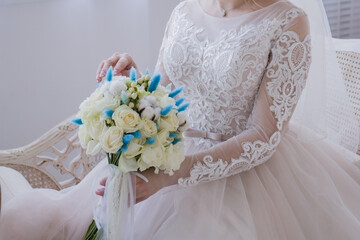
[[55, 160]]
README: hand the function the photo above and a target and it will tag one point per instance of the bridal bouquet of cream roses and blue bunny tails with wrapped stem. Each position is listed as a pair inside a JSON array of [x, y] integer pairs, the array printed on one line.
[[139, 125]]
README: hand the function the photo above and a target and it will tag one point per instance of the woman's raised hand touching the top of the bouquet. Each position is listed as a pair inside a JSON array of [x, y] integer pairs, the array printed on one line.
[[121, 64]]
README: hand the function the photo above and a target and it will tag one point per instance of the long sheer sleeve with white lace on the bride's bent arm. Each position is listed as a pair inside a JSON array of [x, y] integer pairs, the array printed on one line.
[[280, 90]]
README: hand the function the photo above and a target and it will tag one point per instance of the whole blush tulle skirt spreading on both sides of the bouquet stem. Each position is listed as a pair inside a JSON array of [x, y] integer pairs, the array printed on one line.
[[307, 190]]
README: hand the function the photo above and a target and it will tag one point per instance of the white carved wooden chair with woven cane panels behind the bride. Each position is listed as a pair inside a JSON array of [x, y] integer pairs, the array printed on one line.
[[57, 161]]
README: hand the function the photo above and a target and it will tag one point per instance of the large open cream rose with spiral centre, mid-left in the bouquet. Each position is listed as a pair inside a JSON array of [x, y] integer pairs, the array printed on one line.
[[127, 118]]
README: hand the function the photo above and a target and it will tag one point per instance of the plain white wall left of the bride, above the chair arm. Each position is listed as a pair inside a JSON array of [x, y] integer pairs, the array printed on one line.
[[50, 49]]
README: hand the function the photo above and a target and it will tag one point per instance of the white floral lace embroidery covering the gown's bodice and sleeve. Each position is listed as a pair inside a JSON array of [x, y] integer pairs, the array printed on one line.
[[220, 101]]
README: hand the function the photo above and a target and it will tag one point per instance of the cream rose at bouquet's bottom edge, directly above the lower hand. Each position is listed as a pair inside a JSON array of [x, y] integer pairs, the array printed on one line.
[[153, 155]]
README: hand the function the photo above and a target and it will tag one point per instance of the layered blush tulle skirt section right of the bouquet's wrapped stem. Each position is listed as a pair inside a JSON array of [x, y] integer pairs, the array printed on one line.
[[305, 191]]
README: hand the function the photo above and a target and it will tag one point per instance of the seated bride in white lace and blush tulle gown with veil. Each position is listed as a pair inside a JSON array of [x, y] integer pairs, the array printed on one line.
[[249, 172]]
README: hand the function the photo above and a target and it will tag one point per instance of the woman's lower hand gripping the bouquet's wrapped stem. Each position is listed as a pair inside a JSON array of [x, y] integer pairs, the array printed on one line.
[[146, 189]]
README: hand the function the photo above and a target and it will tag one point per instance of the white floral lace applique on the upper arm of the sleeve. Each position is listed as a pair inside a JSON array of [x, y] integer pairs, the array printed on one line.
[[288, 71]]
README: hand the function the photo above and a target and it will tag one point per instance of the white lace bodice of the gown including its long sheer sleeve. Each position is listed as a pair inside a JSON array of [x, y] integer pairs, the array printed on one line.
[[227, 64]]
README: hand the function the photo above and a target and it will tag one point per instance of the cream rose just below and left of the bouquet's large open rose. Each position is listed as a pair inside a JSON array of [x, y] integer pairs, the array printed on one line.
[[111, 140]]
